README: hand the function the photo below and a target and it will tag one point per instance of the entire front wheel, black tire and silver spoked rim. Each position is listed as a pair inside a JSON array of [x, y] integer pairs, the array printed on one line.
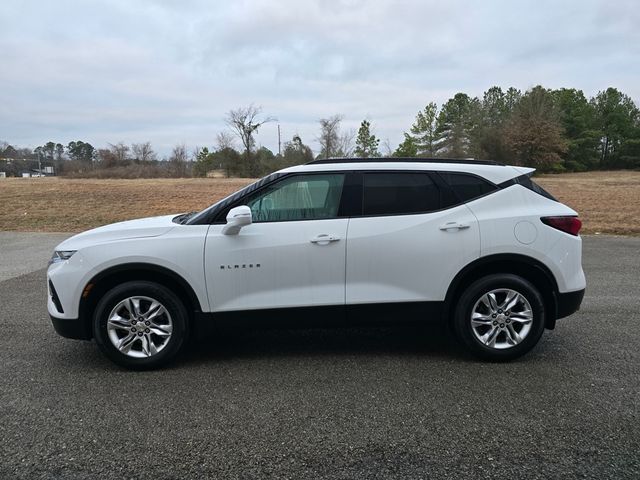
[[140, 325]]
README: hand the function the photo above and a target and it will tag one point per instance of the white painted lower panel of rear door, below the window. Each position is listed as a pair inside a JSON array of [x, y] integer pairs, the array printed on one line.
[[407, 258]]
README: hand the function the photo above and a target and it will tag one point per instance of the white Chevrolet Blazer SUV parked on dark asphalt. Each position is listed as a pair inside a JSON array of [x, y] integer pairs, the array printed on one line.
[[333, 242]]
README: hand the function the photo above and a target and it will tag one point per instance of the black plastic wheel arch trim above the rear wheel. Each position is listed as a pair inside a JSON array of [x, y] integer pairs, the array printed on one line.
[[526, 267]]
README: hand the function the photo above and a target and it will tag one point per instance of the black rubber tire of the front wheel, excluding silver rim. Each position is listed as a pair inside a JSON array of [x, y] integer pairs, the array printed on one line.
[[176, 312]]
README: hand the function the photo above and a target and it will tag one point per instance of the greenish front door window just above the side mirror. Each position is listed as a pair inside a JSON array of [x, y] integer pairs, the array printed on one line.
[[301, 197]]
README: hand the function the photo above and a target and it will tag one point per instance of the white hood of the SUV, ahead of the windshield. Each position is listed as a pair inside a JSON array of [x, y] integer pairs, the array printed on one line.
[[140, 228]]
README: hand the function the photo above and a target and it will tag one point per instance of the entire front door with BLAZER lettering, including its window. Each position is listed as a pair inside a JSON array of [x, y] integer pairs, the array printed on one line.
[[292, 255]]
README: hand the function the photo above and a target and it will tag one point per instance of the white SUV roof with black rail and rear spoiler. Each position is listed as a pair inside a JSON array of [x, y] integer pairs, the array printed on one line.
[[492, 171]]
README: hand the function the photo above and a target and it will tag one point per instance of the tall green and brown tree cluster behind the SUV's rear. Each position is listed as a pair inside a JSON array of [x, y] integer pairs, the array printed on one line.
[[552, 130]]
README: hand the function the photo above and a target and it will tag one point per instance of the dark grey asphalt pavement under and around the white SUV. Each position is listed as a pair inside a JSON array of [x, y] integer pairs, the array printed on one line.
[[383, 403]]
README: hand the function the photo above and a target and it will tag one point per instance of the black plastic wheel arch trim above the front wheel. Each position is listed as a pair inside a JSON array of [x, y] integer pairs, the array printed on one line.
[[112, 276]]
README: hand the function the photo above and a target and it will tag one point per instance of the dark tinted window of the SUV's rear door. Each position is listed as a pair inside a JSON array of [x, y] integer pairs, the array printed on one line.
[[399, 193]]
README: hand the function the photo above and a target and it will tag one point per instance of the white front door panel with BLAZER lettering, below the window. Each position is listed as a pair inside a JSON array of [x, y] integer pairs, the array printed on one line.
[[293, 271]]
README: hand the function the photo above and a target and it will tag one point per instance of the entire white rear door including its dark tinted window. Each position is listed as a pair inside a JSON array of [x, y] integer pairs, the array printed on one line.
[[412, 238]]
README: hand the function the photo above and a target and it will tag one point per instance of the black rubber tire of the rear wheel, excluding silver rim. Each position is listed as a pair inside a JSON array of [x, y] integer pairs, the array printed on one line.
[[464, 331]]
